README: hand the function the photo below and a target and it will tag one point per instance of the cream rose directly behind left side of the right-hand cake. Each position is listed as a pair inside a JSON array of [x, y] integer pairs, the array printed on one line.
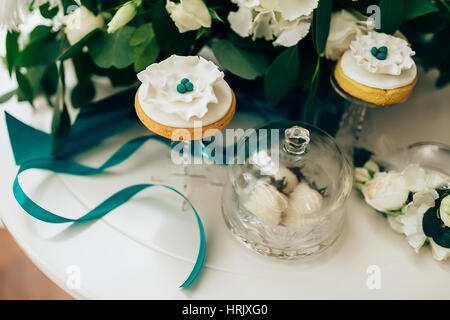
[[343, 30]]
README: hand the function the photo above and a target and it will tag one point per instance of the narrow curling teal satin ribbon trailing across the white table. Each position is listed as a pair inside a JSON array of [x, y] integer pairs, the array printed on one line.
[[116, 200]]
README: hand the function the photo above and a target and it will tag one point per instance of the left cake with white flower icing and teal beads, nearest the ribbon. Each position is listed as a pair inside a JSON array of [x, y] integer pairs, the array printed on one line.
[[184, 92]]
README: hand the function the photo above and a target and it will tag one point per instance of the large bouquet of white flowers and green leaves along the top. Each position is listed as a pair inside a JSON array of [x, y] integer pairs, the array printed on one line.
[[288, 43]]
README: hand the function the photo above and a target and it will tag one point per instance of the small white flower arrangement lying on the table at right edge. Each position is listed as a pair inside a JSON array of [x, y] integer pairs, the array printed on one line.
[[415, 202]]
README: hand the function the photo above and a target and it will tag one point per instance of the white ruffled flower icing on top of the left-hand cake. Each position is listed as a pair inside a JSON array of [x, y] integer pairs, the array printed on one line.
[[160, 80]]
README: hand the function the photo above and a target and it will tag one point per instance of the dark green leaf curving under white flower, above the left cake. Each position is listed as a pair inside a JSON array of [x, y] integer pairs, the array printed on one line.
[[169, 39]]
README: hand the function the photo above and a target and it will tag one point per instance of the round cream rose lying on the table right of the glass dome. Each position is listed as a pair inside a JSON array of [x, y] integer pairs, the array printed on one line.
[[386, 191]]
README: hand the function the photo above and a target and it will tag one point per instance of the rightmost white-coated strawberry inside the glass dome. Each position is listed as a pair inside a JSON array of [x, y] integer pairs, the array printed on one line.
[[304, 203]]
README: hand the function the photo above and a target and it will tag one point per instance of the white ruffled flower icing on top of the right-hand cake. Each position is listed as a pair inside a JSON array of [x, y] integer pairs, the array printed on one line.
[[398, 57]]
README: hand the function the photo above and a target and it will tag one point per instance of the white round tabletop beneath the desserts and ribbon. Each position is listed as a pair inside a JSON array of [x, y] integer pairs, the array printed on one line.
[[146, 248]]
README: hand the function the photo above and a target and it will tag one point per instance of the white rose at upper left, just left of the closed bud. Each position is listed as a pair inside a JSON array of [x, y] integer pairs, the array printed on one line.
[[80, 22]]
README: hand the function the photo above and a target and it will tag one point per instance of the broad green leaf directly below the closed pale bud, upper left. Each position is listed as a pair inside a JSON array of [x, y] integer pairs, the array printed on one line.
[[112, 50]]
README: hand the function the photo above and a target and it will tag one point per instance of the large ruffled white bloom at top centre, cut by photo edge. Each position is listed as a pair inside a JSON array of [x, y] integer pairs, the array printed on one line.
[[284, 21]]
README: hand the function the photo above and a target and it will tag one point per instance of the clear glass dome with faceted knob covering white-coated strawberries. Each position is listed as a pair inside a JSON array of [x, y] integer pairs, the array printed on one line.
[[288, 185]]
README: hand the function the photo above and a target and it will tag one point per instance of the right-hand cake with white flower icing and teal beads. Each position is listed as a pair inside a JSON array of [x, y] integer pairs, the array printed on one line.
[[378, 68]]
